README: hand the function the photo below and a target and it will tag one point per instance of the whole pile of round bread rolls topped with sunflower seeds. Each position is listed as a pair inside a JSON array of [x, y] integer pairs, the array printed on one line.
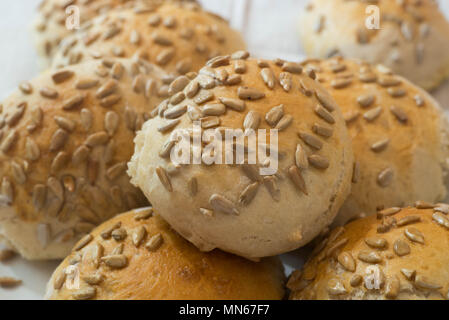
[[93, 137]]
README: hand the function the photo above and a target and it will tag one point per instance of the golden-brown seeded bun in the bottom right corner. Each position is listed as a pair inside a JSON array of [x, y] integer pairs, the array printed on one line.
[[400, 254]]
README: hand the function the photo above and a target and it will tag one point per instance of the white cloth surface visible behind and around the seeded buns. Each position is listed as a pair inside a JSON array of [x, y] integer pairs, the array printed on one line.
[[269, 27]]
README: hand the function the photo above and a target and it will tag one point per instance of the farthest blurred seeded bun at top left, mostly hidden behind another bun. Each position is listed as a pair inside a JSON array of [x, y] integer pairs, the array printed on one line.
[[55, 16]]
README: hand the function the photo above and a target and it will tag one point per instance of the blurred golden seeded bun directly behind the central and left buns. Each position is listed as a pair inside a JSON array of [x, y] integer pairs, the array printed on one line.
[[178, 36]]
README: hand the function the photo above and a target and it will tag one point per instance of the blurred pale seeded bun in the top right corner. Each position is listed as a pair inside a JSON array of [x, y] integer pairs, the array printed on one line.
[[413, 39]]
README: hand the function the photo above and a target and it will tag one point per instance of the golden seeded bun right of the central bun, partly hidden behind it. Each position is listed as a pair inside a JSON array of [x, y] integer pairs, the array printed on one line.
[[399, 133]]
